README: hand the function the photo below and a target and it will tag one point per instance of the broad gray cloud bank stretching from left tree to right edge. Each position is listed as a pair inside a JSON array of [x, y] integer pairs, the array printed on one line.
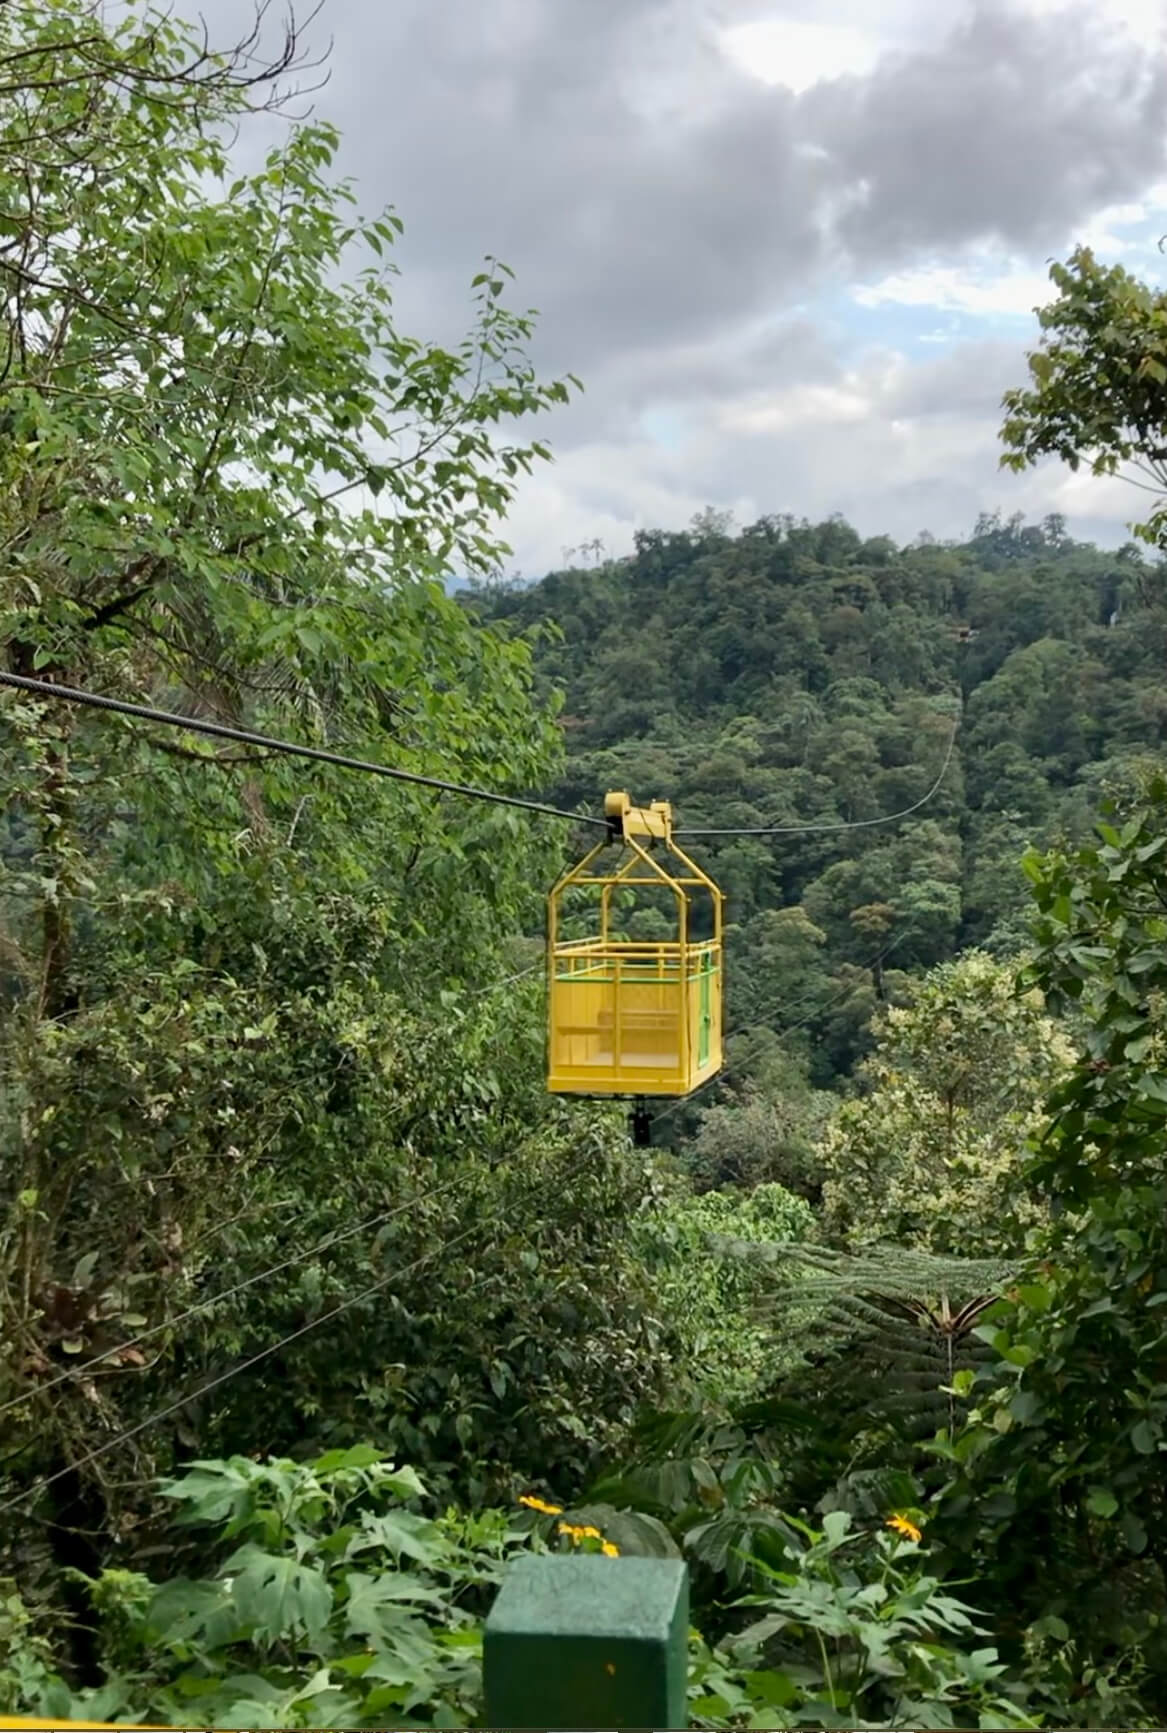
[[547, 136]]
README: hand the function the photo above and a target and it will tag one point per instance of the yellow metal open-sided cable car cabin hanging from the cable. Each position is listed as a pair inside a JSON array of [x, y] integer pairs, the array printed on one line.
[[636, 1016]]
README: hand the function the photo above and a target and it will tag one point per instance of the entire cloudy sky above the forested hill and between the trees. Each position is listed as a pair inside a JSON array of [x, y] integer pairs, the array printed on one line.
[[792, 247]]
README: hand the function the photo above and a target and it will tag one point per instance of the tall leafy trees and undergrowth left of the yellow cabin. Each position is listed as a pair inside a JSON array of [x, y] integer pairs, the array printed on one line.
[[261, 1084]]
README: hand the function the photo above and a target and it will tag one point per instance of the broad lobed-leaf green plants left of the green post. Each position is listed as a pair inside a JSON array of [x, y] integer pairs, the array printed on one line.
[[332, 1599]]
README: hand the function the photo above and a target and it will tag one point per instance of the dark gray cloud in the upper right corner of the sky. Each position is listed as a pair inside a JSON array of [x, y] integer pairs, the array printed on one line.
[[1012, 129]]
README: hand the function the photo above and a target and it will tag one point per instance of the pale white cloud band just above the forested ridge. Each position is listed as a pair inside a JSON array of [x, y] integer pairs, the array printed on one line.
[[894, 445]]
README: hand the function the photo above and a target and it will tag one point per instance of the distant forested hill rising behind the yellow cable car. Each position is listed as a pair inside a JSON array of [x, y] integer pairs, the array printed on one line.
[[797, 677]]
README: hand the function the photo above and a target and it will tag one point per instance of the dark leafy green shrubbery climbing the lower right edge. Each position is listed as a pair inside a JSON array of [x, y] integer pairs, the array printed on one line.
[[1069, 1424]]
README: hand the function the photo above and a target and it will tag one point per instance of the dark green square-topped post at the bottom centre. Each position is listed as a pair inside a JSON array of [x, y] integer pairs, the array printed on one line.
[[589, 1642]]
